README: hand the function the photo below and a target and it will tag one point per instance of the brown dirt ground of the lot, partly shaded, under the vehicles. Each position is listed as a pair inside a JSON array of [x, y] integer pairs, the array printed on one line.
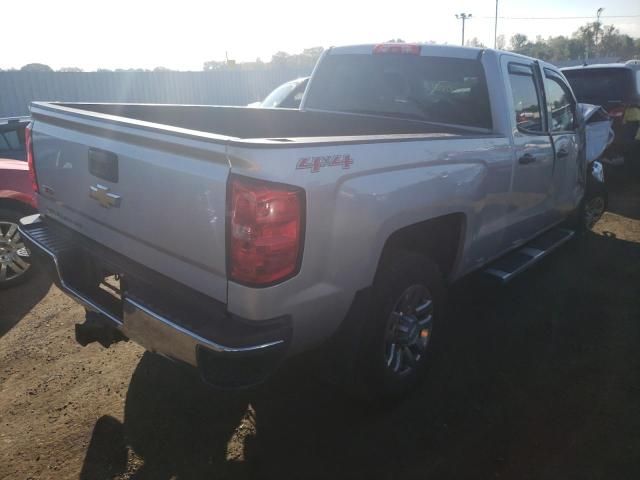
[[539, 379]]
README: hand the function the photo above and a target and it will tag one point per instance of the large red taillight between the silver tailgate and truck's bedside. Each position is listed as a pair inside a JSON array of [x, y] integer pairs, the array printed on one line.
[[264, 231]]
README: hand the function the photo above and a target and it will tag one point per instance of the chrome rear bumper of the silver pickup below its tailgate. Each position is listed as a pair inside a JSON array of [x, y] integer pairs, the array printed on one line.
[[142, 324]]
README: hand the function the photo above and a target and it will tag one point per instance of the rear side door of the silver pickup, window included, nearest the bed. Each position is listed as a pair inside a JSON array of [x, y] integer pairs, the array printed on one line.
[[533, 151]]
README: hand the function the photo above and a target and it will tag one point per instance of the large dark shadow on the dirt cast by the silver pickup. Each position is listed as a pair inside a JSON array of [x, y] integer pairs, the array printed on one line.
[[535, 379]]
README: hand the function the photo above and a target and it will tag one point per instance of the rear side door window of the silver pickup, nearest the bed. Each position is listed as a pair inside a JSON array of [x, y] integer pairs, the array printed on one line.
[[526, 101]]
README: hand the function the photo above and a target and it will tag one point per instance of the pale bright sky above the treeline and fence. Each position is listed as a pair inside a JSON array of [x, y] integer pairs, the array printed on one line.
[[183, 34]]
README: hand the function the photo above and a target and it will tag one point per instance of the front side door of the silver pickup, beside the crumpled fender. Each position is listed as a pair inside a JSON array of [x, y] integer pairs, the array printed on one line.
[[568, 167]]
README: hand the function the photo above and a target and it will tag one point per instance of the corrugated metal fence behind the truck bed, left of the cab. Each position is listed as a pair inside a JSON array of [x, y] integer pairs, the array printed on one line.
[[238, 87]]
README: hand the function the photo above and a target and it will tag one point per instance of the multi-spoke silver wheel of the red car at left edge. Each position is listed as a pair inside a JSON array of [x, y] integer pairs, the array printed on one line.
[[15, 258]]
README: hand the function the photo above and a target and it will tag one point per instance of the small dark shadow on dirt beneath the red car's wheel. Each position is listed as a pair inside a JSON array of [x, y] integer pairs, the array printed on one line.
[[17, 301]]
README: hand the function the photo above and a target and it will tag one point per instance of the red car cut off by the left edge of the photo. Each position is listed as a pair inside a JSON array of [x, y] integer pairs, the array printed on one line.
[[16, 201]]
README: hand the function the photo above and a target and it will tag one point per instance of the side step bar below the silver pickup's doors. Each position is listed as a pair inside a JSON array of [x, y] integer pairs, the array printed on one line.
[[507, 267]]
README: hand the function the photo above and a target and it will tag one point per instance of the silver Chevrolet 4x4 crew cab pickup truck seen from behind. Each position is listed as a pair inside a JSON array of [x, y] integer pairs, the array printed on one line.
[[231, 238]]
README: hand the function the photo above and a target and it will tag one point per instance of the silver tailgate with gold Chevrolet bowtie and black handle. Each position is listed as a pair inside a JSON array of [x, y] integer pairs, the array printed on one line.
[[153, 195]]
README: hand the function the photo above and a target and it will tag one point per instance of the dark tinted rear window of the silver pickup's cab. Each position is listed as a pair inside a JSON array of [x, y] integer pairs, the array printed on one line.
[[435, 89]]
